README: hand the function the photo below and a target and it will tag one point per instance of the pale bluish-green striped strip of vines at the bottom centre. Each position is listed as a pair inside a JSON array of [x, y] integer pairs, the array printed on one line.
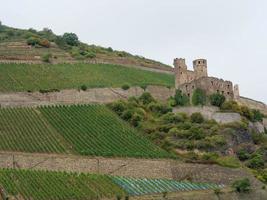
[[136, 187]]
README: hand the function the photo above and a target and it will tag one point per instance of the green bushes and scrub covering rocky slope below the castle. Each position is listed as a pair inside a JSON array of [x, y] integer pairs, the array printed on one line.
[[195, 138]]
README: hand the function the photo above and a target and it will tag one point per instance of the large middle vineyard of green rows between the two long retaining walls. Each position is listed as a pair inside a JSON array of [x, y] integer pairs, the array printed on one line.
[[77, 129]]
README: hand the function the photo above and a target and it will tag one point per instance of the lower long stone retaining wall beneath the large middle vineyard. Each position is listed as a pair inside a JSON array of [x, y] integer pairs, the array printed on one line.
[[140, 168]]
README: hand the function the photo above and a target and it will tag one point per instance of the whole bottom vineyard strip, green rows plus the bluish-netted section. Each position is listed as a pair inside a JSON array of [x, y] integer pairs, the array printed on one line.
[[41, 185]]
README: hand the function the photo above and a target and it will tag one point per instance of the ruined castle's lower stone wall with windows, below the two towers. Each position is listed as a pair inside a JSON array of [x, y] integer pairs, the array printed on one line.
[[209, 84]]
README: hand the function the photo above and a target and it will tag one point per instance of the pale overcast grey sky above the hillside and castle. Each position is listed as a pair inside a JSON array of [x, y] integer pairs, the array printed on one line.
[[230, 34]]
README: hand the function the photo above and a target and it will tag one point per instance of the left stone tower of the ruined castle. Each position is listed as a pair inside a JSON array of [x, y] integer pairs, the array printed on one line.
[[180, 70]]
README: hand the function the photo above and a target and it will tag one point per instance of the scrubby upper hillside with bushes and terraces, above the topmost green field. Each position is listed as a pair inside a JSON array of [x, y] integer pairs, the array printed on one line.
[[30, 46]]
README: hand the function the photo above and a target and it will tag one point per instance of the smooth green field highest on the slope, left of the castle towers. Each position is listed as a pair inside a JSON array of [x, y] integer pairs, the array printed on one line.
[[23, 77]]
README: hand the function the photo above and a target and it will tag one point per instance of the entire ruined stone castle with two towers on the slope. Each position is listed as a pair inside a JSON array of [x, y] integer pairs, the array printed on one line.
[[187, 80]]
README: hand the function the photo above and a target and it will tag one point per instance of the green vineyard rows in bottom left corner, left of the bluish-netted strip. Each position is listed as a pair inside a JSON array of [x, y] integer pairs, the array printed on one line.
[[40, 185]]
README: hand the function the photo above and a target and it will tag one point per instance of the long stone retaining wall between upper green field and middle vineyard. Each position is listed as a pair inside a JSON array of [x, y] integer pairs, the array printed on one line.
[[95, 95]]
